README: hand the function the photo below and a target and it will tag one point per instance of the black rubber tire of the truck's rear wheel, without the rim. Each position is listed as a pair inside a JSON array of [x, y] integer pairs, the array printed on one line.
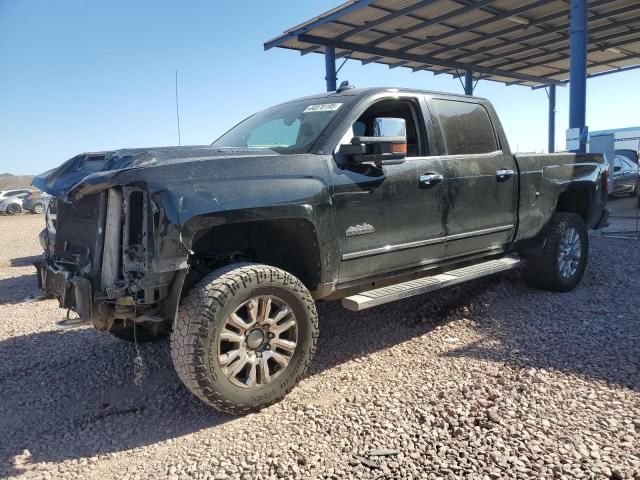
[[543, 271]]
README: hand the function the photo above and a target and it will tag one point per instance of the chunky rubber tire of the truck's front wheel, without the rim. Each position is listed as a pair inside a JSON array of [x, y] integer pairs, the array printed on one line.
[[201, 316]]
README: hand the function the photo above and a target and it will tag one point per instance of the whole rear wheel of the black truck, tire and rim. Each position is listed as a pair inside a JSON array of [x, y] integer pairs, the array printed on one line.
[[564, 257]]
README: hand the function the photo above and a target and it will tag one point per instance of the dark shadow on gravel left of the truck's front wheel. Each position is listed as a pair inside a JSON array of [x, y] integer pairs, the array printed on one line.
[[74, 394]]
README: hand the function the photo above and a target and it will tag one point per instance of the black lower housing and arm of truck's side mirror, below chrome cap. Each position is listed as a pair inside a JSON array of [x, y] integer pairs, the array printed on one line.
[[379, 150]]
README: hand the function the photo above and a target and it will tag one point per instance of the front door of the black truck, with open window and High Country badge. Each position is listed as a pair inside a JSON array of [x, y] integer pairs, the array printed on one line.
[[388, 218]]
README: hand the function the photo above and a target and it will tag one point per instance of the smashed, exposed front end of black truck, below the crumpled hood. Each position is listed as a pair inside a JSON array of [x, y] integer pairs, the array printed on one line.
[[105, 263]]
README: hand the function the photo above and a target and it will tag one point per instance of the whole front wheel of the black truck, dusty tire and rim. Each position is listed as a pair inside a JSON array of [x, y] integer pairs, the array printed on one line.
[[244, 336]]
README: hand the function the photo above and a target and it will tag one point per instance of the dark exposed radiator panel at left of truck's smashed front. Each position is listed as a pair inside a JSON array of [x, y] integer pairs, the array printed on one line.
[[80, 230]]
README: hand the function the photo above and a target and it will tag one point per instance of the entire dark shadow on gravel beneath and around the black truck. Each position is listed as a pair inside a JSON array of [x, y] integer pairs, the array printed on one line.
[[69, 395]]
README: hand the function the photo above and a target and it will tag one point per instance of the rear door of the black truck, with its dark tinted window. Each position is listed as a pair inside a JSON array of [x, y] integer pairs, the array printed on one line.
[[481, 181]]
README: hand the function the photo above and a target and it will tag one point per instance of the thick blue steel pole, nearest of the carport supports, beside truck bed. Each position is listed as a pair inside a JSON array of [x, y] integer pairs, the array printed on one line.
[[578, 69]]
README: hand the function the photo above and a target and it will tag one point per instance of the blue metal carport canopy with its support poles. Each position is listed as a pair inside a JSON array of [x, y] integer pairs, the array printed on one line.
[[527, 42]]
